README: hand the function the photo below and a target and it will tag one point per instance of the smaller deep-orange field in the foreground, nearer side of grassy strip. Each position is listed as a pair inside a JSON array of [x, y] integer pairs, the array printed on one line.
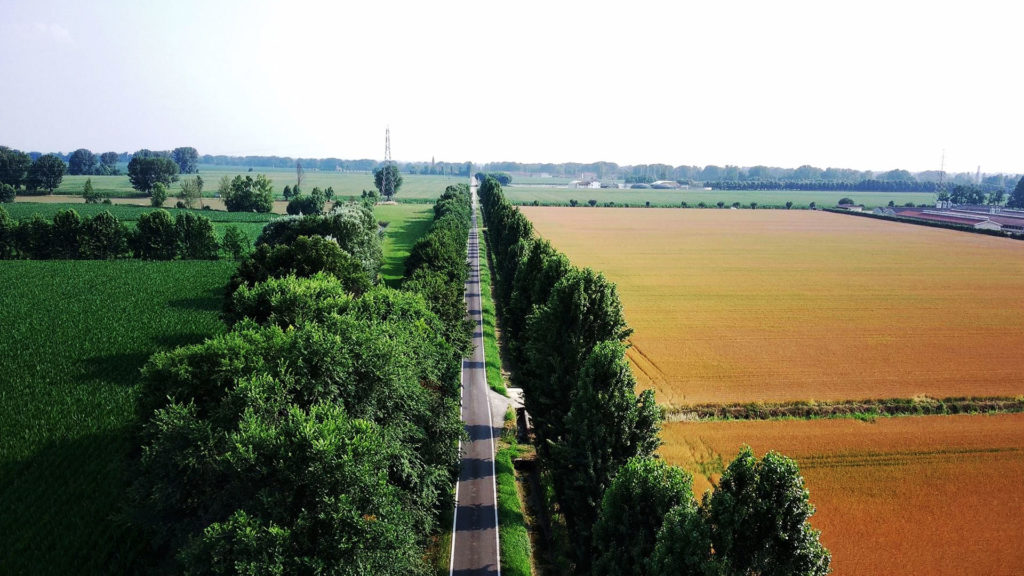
[[910, 496]]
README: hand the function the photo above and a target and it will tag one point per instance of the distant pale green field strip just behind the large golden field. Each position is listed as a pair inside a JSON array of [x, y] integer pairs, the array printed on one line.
[[562, 196]]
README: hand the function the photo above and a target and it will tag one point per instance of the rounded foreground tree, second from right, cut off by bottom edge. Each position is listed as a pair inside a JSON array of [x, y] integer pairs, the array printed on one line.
[[632, 513]]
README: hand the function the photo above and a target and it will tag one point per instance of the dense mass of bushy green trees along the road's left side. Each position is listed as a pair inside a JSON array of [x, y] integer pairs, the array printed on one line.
[[320, 435]]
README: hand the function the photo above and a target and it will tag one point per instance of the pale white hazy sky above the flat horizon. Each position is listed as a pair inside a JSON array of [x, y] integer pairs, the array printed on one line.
[[866, 85]]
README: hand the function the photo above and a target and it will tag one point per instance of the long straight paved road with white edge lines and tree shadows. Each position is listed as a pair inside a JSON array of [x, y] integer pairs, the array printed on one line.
[[475, 541]]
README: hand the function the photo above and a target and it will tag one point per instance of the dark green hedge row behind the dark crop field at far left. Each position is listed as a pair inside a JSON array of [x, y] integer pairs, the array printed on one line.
[[156, 237]]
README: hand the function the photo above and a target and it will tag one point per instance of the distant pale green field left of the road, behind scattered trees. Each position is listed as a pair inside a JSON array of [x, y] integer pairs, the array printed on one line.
[[415, 188]]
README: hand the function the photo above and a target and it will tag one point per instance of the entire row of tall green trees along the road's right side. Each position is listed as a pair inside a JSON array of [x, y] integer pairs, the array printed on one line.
[[626, 511]]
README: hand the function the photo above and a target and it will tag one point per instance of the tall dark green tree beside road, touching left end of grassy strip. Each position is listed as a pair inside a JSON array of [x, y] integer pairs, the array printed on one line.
[[607, 426]]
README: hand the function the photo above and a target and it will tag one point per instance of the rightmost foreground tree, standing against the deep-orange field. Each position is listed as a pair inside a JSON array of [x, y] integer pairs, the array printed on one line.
[[759, 519]]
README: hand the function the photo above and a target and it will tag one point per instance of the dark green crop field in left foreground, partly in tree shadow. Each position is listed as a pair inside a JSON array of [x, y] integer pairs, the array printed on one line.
[[74, 337]]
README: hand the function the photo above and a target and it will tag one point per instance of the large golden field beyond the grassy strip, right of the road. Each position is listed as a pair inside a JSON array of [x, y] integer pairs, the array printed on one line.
[[739, 306]]
